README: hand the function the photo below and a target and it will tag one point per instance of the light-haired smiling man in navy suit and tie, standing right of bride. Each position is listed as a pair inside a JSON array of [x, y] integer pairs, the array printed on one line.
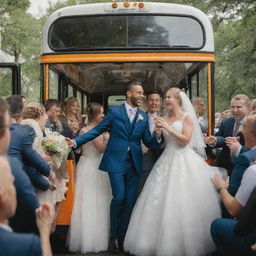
[[230, 127]]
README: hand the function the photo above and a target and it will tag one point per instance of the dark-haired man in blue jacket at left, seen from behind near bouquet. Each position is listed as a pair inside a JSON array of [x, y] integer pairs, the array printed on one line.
[[22, 138]]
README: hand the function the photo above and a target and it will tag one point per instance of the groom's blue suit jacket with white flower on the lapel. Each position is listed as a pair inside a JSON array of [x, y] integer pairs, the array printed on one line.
[[123, 136]]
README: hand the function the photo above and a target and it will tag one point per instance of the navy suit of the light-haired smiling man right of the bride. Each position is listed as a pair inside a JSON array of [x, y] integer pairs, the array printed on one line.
[[225, 130]]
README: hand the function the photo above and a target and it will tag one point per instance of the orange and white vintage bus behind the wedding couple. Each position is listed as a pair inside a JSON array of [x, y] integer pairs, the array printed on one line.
[[94, 51]]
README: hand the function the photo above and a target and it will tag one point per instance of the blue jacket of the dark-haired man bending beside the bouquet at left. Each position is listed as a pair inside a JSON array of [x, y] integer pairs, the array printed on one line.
[[22, 137]]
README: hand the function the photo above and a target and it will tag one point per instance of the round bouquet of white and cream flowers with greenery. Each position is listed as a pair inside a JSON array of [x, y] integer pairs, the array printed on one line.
[[56, 145]]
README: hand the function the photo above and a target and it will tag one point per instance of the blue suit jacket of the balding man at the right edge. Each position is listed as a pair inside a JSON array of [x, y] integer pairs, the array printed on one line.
[[241, 164]]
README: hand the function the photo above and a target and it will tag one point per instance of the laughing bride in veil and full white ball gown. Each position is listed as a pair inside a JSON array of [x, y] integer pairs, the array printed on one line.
[[173, 214]]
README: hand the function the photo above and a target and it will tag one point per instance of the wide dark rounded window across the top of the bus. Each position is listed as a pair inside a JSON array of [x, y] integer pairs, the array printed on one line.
[[125, 31]]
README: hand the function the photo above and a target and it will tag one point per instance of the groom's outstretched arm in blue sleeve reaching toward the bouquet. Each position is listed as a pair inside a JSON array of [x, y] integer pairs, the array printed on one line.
[[96, 131]]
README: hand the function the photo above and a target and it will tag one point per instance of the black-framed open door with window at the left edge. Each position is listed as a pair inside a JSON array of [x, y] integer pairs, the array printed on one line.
[[9, 79]]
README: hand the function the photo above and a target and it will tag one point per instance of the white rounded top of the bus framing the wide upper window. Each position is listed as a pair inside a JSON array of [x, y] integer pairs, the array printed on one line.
[[150, 8]]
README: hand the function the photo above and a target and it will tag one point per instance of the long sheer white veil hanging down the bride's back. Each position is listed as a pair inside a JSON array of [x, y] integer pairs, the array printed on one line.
[[197, 140]]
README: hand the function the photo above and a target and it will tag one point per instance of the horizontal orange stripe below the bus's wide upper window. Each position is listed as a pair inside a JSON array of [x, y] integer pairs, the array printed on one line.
[[126, 57]]
